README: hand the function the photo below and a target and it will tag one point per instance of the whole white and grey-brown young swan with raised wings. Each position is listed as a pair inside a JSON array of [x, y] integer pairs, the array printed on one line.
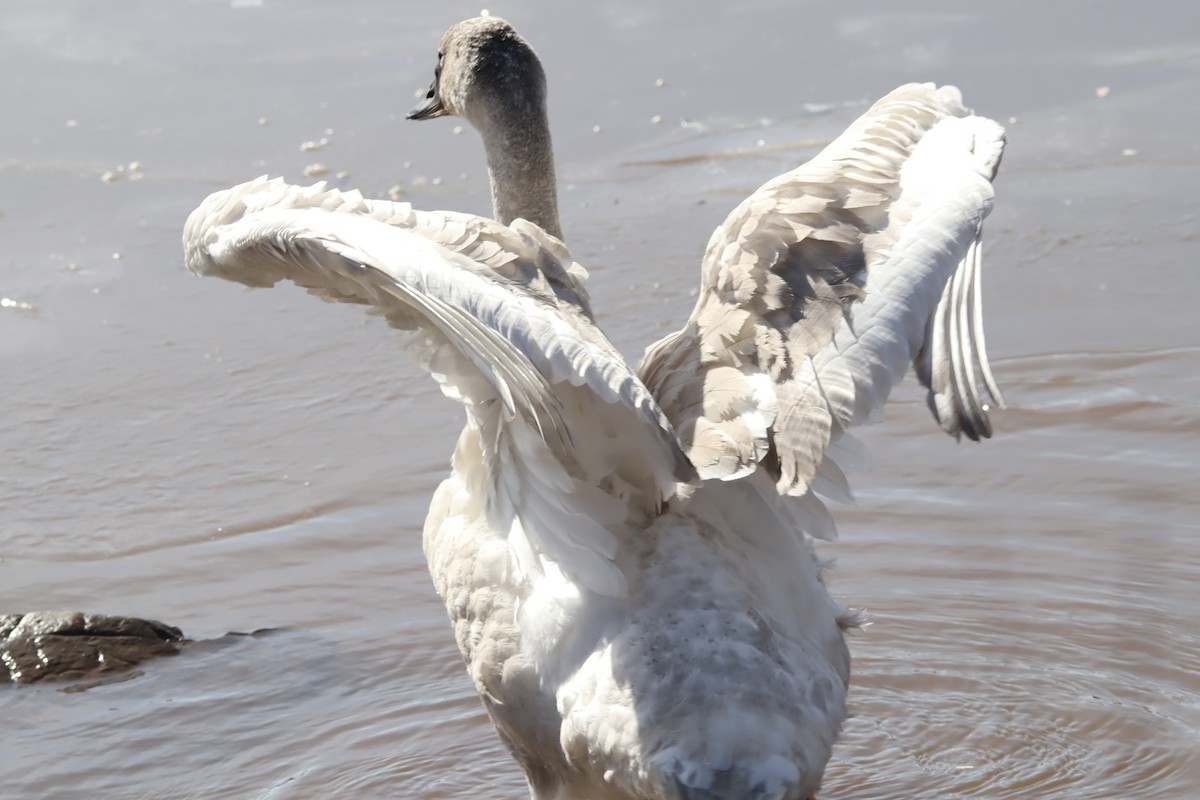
[[627, 556]]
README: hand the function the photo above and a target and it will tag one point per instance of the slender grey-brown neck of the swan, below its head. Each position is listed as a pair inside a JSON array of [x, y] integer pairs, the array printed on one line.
[[521, 170]]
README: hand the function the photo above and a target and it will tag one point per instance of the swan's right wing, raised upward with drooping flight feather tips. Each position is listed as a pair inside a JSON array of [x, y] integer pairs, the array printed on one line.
[[820, 290]]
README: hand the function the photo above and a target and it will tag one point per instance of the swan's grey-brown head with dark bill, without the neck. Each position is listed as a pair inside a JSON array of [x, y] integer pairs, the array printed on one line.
[[487, 75]]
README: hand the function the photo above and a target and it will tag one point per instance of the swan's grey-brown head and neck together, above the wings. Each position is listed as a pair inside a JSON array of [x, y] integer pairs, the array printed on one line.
[[489, 76]]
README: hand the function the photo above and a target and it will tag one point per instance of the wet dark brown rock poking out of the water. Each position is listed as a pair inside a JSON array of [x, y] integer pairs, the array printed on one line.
[[67, 646]]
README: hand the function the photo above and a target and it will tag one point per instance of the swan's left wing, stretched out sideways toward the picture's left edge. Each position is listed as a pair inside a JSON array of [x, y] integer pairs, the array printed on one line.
[[500, 320]]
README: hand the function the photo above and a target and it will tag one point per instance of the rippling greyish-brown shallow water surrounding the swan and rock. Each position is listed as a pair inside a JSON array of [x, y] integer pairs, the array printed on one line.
[[235, 461]]
